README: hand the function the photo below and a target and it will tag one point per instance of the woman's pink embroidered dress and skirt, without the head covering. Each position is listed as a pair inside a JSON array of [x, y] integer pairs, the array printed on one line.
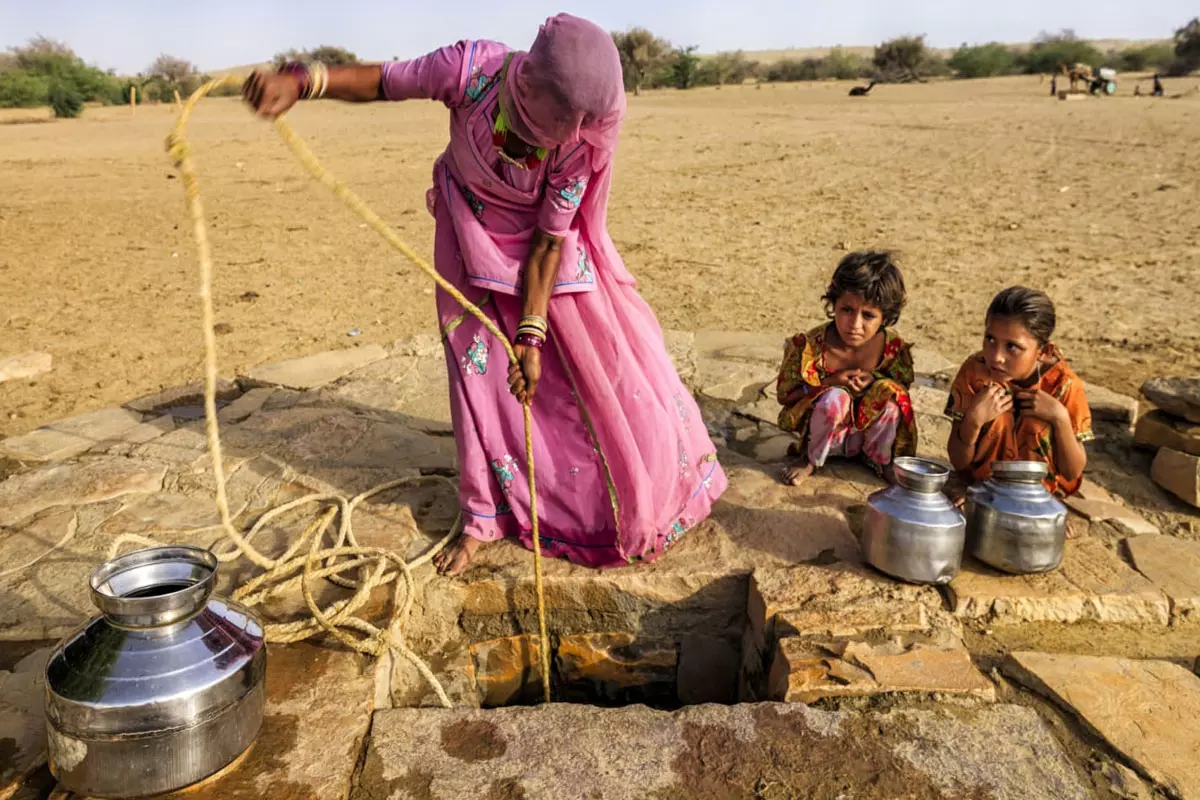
[[625, 461]]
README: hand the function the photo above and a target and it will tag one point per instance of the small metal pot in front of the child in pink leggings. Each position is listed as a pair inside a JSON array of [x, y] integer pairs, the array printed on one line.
[[913, 532]]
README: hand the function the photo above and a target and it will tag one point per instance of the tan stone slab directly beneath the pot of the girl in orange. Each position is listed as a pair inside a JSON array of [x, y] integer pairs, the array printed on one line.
[[1093, 585]]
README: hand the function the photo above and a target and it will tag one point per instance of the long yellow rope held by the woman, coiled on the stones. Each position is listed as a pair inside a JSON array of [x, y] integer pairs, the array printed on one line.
[[301, 564]]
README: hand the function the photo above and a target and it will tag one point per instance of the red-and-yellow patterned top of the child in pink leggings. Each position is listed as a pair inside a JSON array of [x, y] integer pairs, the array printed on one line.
[[805, 369]]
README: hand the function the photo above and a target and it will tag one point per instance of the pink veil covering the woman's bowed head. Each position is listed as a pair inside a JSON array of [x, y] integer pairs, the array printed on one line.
[[568, 87]]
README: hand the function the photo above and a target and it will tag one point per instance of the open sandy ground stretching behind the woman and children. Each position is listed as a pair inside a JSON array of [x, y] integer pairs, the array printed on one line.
[[733, 207]]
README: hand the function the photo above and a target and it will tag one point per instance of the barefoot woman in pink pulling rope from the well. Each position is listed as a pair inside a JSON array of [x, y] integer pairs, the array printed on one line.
[[625, 461]]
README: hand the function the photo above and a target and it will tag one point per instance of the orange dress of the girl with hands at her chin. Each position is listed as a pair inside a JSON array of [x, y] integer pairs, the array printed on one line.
[[1012, 437]]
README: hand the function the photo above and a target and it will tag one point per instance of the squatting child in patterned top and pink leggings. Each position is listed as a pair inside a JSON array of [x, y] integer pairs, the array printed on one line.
[[844, 386]]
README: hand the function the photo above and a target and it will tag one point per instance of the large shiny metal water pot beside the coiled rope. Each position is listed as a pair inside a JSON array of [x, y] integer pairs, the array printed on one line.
[[165, 689]]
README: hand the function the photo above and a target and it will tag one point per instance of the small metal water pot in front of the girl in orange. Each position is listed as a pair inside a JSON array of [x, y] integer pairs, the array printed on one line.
[[1013, 522]]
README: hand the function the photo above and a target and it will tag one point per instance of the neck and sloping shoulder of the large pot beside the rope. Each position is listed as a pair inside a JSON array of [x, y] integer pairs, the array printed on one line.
[[164, 655]]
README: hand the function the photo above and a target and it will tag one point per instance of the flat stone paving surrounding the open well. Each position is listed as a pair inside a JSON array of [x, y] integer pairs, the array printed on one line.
[[775, 570]]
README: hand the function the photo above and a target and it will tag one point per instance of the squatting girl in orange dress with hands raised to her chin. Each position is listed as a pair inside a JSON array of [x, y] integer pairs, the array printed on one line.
[[1019, 400]]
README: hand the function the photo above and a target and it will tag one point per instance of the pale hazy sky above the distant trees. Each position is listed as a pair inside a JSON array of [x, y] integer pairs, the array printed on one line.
[[129, 34]]
